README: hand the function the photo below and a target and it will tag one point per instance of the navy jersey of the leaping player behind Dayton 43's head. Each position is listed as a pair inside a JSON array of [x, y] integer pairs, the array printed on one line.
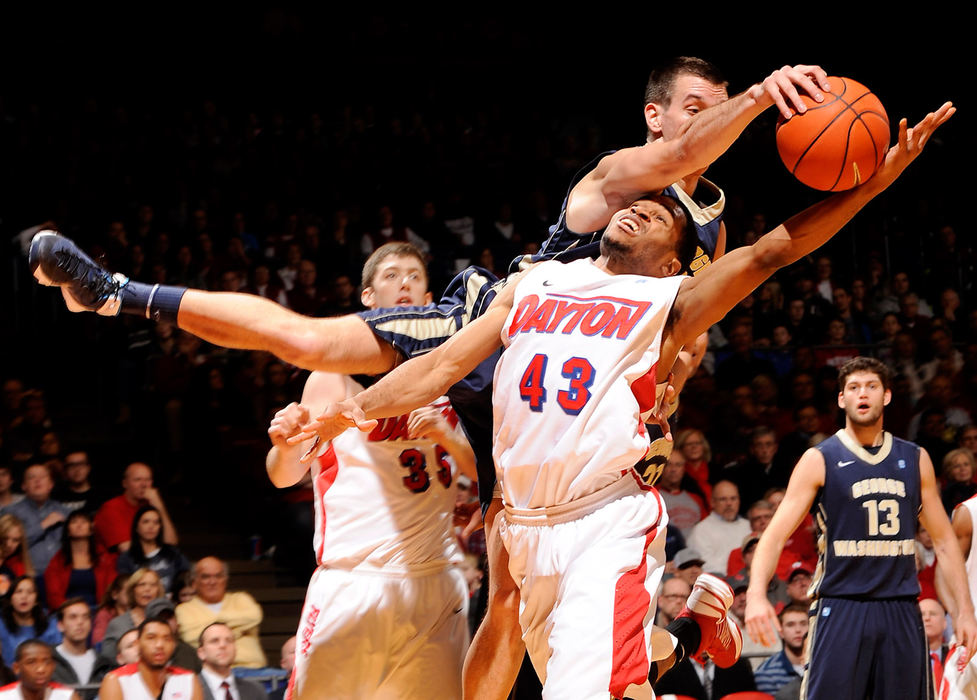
[[565, 245]]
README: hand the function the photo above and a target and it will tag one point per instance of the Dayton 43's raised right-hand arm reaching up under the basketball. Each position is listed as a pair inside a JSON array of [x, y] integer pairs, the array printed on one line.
[[707, 297]]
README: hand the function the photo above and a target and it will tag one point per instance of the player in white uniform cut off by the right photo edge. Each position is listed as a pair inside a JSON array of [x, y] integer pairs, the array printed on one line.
[[959, 675]]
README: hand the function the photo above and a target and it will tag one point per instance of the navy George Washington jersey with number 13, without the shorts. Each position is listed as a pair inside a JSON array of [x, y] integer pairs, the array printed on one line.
[[867, 515]]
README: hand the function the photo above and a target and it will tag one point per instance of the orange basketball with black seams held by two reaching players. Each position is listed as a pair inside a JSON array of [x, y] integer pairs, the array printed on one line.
[[836, 144]]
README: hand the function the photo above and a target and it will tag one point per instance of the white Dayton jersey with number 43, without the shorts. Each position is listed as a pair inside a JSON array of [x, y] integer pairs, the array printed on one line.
[[576, 375]]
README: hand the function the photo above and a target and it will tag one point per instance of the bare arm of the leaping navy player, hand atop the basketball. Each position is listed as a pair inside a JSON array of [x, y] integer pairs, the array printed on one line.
[[619, 177]]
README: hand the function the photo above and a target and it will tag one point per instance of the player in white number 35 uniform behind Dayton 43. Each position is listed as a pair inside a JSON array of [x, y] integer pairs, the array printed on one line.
[[386, 612]]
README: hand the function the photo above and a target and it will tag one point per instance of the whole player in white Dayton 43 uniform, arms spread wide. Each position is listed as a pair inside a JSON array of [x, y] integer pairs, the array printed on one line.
[[587, 547]]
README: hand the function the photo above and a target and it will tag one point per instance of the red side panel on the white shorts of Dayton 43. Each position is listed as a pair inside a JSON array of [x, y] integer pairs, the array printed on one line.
[[629, 661]]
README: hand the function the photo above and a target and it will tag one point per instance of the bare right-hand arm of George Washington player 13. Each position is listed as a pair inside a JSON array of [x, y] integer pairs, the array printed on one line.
[[949, 560]]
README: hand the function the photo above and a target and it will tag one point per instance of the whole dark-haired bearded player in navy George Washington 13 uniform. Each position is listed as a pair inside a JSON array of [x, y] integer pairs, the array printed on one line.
[[872, 491]]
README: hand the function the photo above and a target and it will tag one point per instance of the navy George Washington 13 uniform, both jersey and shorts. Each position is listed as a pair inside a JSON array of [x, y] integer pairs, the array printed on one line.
[[866, 637]]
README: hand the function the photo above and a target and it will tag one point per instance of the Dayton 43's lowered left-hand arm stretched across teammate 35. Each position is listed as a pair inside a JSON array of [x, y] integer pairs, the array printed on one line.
[[420, 380]]
